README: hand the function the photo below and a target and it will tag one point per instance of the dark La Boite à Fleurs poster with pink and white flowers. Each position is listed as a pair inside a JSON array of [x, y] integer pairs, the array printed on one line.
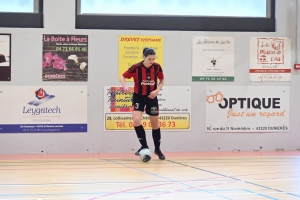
[[65, 58]]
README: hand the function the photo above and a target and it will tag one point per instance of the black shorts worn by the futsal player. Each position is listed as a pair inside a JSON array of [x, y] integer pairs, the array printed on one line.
[[139, 102]]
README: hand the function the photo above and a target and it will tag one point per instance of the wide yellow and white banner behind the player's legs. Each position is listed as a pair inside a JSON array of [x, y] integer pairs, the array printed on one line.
[[174, 109]]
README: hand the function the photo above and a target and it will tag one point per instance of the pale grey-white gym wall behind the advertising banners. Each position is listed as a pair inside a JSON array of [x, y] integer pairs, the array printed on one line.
[[59, 18]]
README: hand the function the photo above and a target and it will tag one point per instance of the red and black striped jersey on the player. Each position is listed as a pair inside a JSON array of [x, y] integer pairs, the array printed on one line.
[[145, 79]]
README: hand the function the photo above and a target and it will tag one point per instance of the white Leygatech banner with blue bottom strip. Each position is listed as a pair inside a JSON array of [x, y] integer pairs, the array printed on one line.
[[43, 109]]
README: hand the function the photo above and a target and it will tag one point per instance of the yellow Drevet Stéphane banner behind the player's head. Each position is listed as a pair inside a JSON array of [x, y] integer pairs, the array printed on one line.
[[131, 50]]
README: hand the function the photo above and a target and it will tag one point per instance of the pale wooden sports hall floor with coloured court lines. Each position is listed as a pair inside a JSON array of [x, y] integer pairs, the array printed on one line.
[[207, 175]]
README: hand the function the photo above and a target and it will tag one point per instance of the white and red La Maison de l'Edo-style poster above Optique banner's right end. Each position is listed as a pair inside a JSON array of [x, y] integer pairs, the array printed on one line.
[[270, 59]]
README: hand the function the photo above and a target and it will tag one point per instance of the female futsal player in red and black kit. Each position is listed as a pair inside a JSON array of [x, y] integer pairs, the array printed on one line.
[[146, 89]]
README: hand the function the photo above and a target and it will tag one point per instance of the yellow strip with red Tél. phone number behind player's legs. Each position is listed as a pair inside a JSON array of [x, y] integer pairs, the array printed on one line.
[[123, 121]]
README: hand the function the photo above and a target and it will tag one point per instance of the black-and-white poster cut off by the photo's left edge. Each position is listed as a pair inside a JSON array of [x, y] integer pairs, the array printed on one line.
[[5, 57]]
